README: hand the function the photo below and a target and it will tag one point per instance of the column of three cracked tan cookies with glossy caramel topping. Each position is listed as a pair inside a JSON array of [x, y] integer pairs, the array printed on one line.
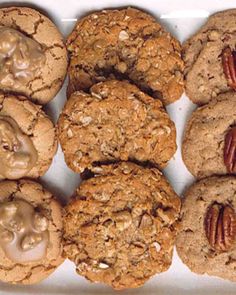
[[32, 70]]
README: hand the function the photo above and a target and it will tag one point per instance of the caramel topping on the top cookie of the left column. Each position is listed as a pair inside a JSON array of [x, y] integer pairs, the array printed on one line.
[[20, 58]]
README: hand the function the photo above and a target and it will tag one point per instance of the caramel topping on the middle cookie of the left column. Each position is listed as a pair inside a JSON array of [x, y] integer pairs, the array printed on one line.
[[17, 152]]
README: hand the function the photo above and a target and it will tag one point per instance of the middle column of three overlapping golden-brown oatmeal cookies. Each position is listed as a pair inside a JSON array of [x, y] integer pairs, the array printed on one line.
[[120, 228]]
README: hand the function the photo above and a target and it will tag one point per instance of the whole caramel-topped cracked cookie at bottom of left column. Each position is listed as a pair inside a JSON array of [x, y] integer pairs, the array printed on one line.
[[30, 231]]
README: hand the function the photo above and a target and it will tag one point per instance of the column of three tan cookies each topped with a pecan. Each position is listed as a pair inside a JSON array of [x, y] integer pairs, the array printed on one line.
[[207, 239]]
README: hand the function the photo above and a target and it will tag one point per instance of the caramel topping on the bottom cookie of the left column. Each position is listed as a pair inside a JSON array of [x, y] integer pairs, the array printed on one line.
[[21, 238]]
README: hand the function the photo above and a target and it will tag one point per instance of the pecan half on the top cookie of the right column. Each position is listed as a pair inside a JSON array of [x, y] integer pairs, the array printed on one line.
[[229, 66]]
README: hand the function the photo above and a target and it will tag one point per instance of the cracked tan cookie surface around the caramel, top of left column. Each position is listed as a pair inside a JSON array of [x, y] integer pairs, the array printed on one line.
[[50, 75]]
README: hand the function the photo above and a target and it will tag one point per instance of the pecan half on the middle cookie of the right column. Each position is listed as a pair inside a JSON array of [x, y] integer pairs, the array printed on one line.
[[230, 150]]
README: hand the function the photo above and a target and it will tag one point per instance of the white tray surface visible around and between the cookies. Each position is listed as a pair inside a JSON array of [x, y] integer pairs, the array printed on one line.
[[182, 18]]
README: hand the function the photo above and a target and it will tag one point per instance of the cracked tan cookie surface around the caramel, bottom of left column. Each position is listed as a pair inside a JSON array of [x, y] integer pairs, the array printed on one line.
[[30, 272]]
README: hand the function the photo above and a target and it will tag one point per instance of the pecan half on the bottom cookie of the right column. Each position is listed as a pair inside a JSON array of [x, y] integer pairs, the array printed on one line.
[[220, 226]]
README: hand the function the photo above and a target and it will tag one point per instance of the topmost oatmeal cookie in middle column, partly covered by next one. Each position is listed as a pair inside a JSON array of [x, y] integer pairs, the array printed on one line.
[[125, 44]]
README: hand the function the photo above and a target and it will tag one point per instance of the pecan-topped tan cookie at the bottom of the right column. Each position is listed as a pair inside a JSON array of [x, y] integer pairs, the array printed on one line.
[[206, 242]]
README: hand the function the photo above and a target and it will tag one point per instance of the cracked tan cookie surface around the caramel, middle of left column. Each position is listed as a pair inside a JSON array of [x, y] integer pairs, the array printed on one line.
[[34, 123]]
